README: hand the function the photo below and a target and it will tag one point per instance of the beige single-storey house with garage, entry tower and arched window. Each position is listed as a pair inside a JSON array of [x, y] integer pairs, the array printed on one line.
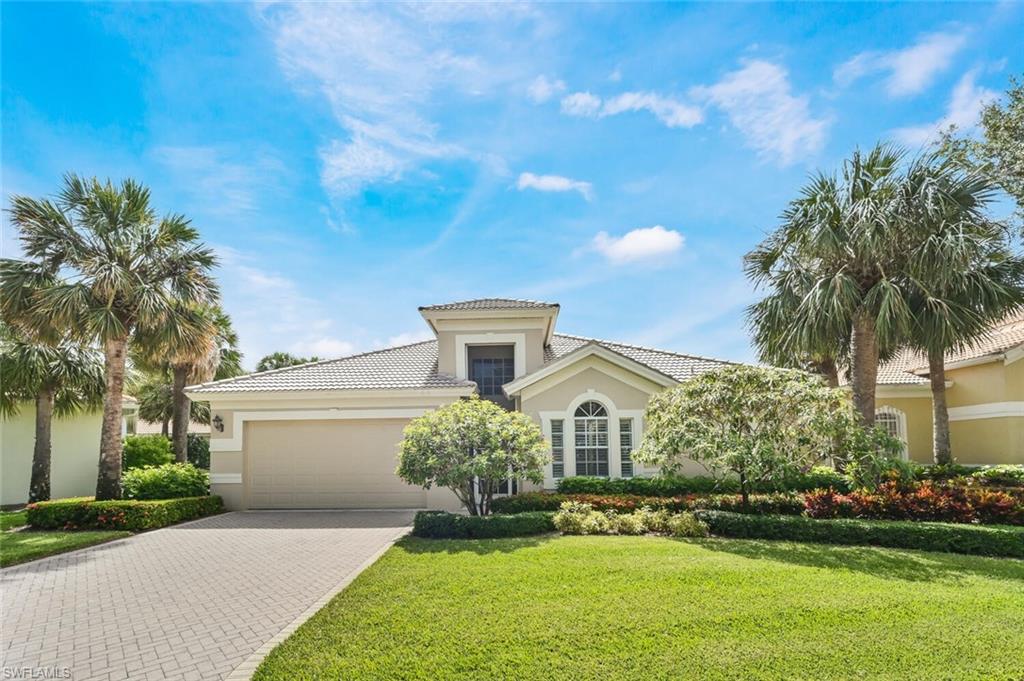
[[326, 435]]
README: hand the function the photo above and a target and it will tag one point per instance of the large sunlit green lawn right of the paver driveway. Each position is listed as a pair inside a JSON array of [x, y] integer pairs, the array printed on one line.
[[625, 608]]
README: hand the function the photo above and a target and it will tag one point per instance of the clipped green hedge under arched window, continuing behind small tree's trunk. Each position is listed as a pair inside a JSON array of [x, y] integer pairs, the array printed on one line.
[[820, 478]]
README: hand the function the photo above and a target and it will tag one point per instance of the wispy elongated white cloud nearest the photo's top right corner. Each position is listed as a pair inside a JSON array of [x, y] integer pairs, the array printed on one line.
[[911, 70]]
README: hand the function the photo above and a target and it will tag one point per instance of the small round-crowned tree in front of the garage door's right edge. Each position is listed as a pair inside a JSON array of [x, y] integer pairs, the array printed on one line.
[[471, 447]]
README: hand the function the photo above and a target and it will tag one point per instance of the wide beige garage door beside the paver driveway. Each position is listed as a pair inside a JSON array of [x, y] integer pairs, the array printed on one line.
[[327, 464]]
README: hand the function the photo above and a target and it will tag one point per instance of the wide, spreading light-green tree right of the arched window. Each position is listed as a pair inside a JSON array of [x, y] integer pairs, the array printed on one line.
[[760, 424]]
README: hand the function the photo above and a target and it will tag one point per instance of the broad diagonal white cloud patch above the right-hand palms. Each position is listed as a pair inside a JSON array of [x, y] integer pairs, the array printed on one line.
[[760, 104]]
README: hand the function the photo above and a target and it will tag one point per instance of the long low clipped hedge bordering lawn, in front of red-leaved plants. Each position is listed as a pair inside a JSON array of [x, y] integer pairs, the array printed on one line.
[[987, 541]]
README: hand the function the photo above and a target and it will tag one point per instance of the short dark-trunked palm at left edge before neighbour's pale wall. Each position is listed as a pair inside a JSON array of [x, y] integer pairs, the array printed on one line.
[[62, 378]]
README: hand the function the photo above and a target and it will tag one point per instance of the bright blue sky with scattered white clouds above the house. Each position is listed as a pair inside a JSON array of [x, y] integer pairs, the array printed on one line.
[[353, 162]]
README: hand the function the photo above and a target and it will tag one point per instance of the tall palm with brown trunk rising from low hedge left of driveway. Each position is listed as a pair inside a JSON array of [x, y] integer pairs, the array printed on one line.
[[129, 273]]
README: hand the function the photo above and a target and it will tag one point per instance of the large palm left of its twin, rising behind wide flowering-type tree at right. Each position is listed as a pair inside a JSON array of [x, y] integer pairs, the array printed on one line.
[[844, 237]]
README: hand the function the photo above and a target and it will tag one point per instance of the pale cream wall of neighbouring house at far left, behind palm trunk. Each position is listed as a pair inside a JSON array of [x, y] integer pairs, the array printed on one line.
[[75, 455]]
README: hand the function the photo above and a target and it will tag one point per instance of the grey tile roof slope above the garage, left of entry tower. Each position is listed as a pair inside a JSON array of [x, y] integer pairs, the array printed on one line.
[[406, 367]]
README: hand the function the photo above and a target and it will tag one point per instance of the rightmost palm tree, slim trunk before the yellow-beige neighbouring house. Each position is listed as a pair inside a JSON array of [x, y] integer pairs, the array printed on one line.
[[963, 274]]
